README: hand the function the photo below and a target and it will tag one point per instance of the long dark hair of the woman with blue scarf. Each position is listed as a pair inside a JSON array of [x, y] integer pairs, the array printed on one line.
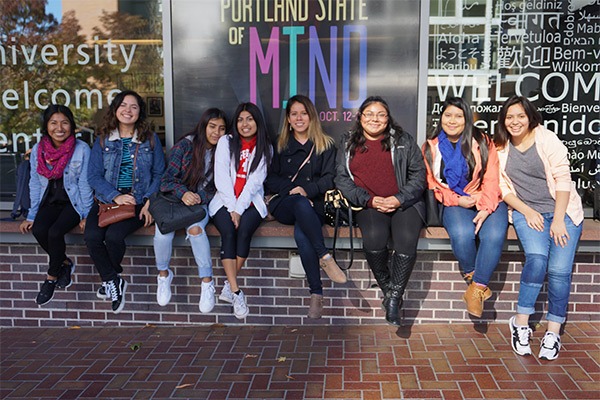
[[469, 133]]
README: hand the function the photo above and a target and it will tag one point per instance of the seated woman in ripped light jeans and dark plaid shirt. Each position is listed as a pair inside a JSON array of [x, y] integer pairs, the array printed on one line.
[[189, 176]]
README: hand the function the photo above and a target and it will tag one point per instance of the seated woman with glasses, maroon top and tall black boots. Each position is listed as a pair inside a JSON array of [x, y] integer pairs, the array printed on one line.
[[382, 170]]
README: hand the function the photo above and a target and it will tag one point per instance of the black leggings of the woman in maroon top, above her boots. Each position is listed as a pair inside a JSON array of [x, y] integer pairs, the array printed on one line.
[[404, 227]]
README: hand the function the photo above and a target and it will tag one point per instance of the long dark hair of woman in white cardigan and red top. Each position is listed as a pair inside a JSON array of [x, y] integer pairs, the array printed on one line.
[[263, 145]]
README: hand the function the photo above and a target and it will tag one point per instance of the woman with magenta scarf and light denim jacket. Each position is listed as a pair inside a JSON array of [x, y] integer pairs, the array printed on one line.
[[60, 194]]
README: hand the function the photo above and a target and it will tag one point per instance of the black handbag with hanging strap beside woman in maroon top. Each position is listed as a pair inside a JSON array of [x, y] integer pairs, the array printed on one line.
[[339, 212]]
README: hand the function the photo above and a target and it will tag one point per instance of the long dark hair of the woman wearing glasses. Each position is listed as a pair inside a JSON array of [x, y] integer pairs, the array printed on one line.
[[357, 138]]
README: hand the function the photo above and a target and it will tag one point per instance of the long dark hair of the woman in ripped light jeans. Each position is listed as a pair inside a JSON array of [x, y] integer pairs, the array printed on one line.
[[200, 145]]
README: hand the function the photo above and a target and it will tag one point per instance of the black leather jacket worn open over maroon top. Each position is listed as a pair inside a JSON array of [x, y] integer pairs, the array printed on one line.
[[410, 174]]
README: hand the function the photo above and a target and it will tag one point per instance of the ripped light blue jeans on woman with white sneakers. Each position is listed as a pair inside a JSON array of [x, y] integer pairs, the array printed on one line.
[[163, 248]]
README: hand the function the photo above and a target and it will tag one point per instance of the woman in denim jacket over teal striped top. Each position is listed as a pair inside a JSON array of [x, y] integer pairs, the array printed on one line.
[[126, 165]]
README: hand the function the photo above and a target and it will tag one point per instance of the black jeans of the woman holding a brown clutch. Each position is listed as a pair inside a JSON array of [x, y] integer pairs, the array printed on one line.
[[107, 245]]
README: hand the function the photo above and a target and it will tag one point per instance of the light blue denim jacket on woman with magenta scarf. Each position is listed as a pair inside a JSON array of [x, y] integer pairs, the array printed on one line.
[[74, 179]]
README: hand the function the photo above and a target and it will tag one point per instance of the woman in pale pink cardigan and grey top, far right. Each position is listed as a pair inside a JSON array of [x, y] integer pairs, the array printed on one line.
[[547, 214]]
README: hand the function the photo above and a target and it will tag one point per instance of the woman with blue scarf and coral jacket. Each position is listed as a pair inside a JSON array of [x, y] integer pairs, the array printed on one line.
[[463, 171]]
